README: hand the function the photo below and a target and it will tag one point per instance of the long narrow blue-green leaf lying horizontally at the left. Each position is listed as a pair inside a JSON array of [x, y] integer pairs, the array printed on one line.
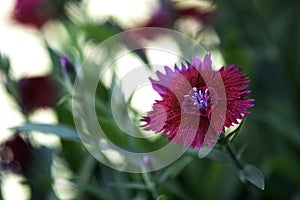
[[61, 131]]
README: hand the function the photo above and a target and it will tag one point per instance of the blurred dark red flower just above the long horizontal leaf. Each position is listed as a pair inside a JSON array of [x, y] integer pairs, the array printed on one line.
[[37, 92]]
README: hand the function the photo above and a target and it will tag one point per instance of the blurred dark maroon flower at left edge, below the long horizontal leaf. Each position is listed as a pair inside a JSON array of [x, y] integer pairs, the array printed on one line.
[[15, 153]]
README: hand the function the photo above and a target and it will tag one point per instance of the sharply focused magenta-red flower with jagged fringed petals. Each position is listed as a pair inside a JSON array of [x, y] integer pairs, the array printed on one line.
[[198, 102]]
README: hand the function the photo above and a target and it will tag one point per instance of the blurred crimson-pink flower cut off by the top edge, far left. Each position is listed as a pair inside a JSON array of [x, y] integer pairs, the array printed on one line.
[[34, 12]]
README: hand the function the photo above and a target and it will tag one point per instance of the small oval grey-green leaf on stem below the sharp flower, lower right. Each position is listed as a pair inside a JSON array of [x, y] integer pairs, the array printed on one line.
[[254, 176]]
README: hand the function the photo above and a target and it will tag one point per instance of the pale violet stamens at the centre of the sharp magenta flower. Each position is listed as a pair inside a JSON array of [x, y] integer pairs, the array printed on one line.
[[201, 99]]
